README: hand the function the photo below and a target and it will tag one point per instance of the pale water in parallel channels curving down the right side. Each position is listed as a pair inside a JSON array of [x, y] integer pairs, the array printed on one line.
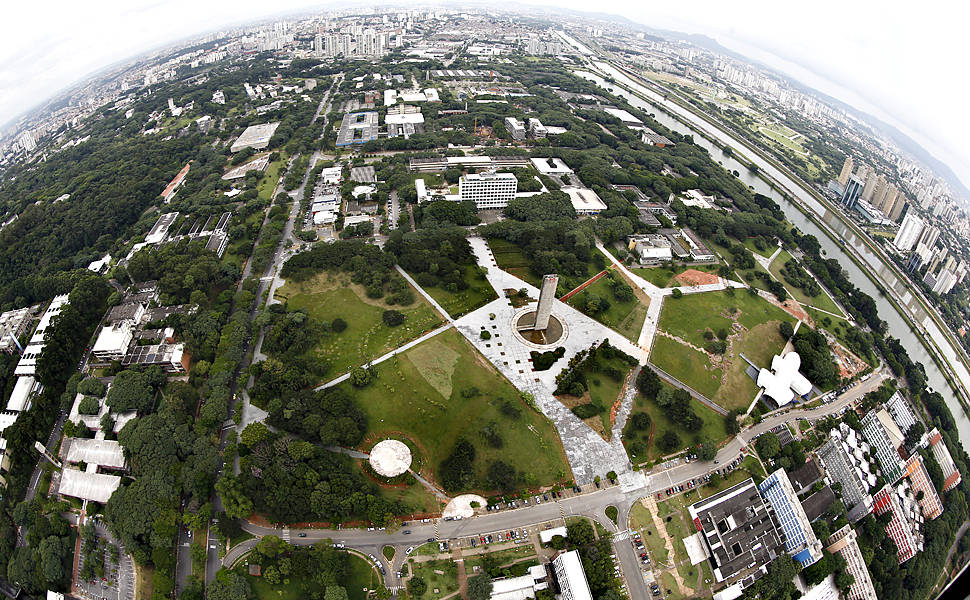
[[898, 326]]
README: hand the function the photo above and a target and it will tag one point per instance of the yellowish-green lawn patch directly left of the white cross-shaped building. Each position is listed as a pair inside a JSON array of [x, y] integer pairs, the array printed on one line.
[[759, 344]]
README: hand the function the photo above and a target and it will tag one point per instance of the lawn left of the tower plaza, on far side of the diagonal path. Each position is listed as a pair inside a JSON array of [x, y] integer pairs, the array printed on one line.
[[328, 296]]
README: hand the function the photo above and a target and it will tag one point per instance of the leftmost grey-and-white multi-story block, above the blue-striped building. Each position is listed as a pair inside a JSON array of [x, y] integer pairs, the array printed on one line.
[[843, 457]]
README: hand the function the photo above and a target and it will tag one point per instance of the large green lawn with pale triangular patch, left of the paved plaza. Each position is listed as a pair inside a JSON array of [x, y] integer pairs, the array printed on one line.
[[442, 390]]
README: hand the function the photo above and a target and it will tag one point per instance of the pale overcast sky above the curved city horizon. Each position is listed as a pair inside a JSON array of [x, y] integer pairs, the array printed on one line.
[[900, 62]]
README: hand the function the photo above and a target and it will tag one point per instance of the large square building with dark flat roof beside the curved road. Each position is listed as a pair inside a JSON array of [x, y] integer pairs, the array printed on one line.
[[739, 532]]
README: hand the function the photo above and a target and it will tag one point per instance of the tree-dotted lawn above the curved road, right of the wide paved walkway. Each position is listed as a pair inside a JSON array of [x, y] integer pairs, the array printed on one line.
[[712, 430]]
